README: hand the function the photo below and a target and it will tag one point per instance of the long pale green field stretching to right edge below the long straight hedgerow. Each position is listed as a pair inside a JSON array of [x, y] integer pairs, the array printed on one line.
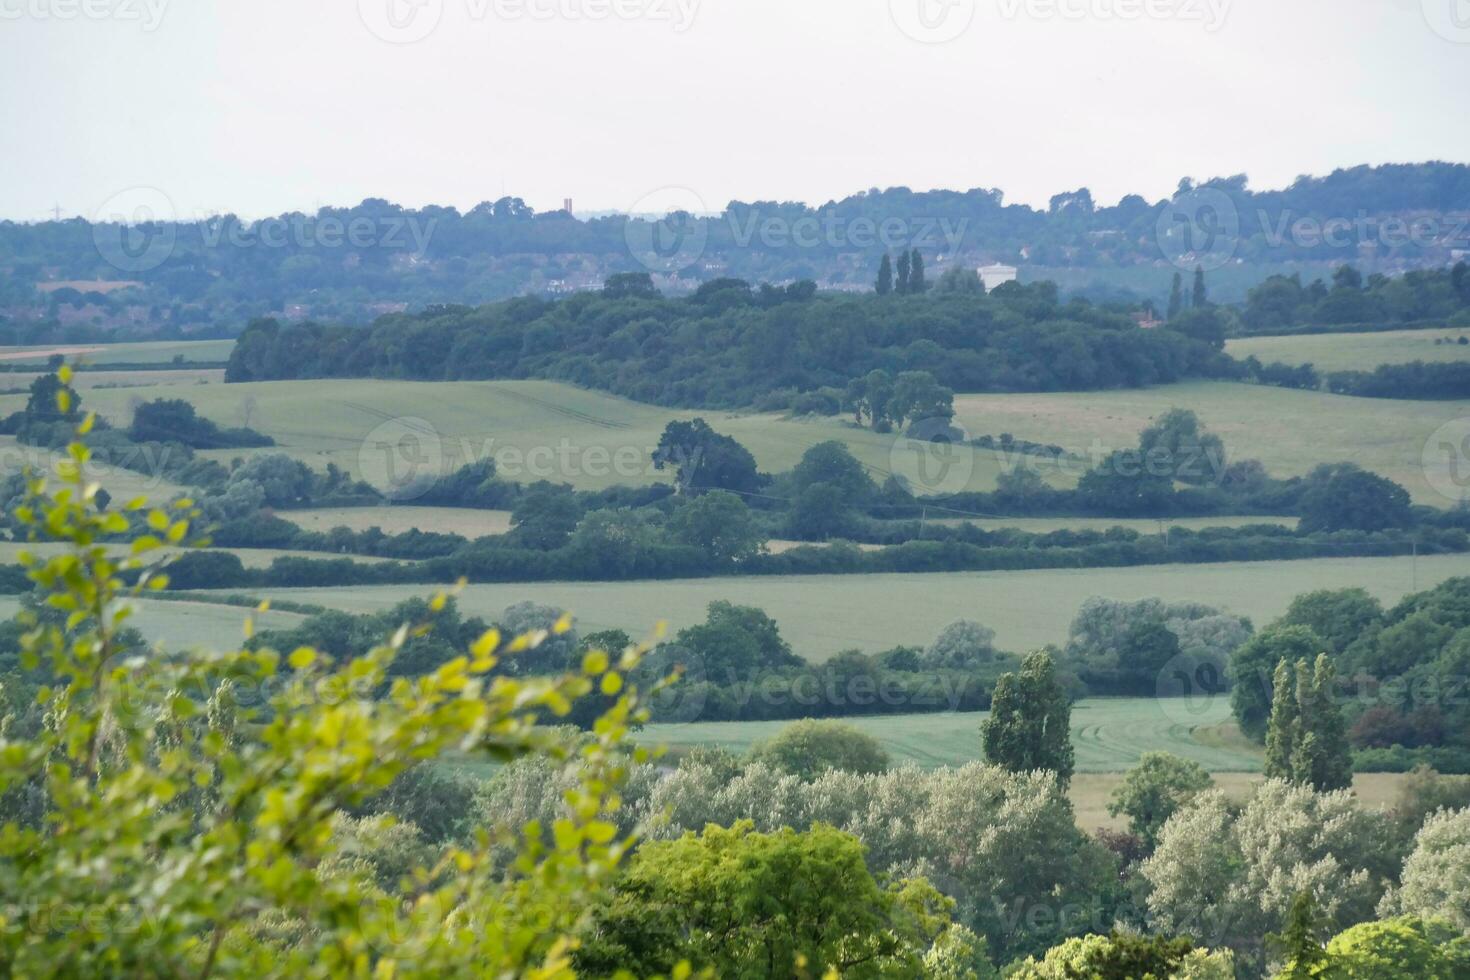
[[827, 613]]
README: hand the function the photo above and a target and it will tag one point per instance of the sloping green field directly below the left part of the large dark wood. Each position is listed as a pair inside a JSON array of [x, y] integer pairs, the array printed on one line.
[[533, 430]]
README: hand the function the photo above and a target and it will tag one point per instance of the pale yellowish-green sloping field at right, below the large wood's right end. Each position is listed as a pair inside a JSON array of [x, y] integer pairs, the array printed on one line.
[[1288, 431]]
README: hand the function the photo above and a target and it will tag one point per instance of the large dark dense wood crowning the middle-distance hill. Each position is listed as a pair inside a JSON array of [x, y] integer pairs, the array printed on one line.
[[737, 346]]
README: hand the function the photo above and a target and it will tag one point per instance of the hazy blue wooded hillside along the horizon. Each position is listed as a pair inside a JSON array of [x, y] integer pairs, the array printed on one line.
[[352, 265]]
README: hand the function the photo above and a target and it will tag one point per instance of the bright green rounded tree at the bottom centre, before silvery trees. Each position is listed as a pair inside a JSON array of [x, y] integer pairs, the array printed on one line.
[[747, 904]]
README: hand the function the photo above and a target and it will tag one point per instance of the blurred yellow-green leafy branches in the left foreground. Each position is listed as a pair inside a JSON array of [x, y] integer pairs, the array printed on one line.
[[221, 838]]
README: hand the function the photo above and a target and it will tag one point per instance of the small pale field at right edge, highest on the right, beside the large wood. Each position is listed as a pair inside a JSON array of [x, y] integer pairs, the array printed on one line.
[[1355, 352]]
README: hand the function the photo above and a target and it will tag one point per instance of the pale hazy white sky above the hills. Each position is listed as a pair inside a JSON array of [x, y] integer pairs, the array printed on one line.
[[261, 107]]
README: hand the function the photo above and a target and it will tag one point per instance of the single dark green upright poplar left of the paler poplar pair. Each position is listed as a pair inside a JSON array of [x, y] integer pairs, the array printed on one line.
[[1031, 721]]
